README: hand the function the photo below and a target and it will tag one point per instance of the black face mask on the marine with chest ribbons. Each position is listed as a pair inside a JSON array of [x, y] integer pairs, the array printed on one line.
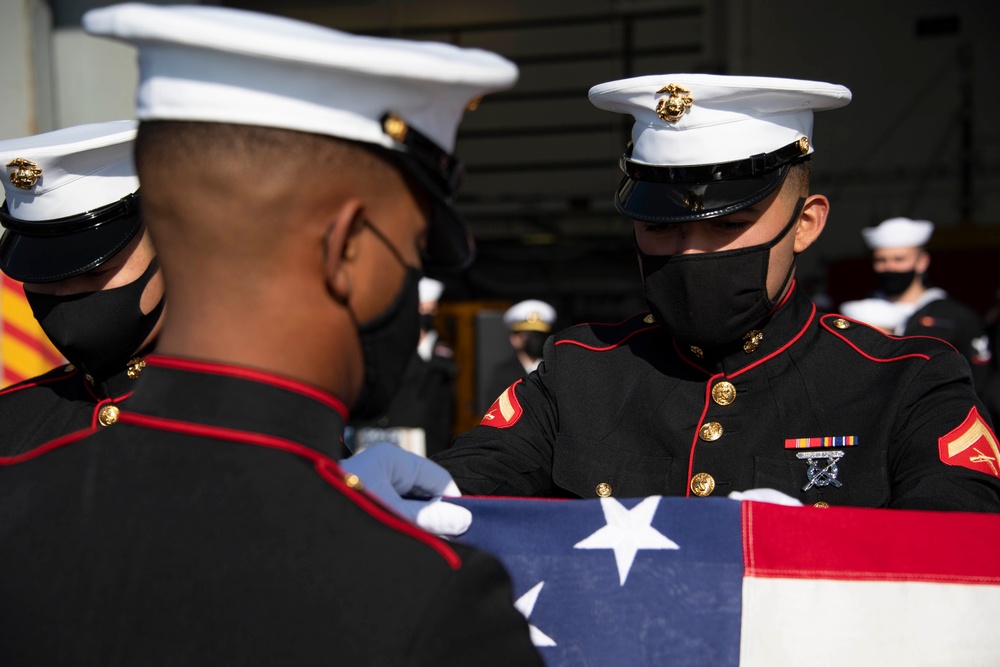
[[714, 298]]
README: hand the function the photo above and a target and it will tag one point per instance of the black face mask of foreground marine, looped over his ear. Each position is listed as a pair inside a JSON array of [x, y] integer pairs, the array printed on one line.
[[388, 341]]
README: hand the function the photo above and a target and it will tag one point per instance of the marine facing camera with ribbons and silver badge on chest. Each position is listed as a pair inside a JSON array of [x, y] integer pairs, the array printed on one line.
[[733, 381]]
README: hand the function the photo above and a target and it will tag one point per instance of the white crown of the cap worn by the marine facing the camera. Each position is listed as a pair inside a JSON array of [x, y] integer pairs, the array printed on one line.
[[728, 118]]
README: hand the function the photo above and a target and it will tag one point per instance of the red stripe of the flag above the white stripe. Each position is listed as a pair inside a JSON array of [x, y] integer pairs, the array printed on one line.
[[868, 544]]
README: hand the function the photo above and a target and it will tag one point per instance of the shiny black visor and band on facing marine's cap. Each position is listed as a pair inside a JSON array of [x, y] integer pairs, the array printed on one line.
[[654, 193]]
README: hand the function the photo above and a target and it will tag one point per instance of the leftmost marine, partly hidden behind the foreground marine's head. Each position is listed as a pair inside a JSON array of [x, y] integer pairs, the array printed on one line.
[[74, 235]]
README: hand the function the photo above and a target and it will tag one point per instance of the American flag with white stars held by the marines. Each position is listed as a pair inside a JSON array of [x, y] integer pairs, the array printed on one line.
[[672, 581]]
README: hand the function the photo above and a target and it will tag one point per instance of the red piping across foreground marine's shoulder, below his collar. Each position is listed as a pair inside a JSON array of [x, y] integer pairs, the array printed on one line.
[[325, 468]]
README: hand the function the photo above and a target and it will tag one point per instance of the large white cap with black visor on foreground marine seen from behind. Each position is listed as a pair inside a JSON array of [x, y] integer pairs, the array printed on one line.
[[406, 98]]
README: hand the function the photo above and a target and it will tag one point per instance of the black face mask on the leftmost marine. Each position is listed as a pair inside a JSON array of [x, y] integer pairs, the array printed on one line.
[[98, 331]]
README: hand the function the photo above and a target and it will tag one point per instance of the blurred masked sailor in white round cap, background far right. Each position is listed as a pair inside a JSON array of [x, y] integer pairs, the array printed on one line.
[[900, 261]]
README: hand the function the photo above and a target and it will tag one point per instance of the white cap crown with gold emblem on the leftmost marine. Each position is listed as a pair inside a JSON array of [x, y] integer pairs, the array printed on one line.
[[68, 172]]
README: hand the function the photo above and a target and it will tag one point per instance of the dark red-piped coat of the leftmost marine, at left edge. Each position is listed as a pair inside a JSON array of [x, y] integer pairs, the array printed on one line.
[[62, 401]]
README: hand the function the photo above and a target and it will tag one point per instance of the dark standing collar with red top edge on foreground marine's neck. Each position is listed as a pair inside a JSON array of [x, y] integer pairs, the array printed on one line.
[[238, 398]]
